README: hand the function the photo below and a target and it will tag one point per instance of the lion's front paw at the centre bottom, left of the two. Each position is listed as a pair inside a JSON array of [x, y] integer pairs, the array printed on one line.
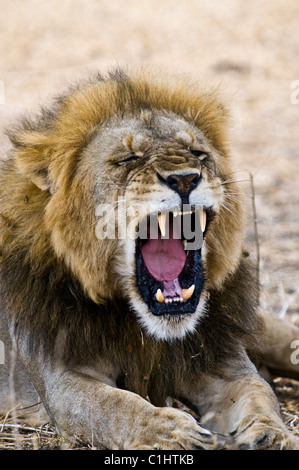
[[171, 429]]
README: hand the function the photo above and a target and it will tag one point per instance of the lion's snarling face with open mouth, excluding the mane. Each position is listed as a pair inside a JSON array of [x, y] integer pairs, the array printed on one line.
[[165, 191]]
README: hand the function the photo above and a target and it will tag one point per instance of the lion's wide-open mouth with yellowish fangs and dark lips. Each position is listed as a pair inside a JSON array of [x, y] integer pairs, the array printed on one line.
[[168, 262]]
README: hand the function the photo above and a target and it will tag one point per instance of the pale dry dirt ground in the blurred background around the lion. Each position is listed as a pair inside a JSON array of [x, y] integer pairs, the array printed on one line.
[[249, 49]]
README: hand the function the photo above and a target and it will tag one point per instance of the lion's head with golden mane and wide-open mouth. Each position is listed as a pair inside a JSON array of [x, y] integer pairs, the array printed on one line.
[[147, 158]]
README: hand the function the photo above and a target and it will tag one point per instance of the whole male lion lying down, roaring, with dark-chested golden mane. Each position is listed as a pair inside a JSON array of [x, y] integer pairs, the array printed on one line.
[[124, 277]]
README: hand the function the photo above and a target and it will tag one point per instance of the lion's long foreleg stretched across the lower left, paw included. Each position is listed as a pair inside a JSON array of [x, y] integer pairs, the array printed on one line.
[[86, 404]]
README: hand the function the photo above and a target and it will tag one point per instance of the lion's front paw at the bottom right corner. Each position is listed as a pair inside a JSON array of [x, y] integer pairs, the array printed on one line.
[[260, 432]]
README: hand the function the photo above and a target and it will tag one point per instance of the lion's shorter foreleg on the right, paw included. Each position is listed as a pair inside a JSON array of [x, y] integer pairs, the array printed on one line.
[[246, 409]]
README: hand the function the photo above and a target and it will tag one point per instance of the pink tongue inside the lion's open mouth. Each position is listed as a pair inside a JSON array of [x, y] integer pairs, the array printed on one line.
[[164, 259]]
